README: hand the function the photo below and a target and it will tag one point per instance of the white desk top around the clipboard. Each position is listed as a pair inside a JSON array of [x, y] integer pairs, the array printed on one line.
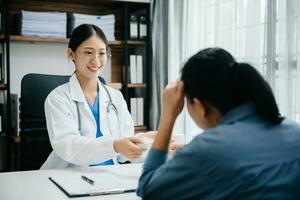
[[35, 185]]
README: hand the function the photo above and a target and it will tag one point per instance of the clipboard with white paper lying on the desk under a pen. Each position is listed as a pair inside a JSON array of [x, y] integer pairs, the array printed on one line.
[[105, 184]]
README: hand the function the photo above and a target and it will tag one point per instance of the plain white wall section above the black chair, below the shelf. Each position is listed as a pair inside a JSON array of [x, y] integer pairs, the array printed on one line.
[[38, 57]]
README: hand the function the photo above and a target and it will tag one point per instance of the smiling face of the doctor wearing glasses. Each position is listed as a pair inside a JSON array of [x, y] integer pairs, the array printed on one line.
[[89, 58]]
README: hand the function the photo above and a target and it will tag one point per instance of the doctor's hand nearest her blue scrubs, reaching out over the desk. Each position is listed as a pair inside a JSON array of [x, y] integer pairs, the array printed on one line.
[[129, 147]]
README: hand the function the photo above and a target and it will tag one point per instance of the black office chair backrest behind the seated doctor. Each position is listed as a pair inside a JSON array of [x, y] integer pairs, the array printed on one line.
[[35, 146]]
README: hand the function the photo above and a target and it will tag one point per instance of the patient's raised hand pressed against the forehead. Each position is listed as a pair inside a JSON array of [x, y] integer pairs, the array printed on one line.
[[173, 100]]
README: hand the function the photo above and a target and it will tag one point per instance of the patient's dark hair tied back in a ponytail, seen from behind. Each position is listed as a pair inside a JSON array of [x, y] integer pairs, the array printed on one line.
[[213, 76]]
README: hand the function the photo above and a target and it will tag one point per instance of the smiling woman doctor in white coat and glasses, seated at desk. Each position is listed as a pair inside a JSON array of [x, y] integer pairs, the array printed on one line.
[[88, 123]]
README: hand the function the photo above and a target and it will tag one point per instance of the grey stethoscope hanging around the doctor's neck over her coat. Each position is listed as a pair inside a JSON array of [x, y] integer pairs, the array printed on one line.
[[110, 109]]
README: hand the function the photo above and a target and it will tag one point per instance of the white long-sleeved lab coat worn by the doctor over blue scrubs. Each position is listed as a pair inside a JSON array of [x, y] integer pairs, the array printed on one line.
[[80, 148]]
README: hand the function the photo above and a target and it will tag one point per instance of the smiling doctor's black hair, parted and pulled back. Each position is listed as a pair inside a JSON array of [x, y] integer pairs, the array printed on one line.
[[83, 32]]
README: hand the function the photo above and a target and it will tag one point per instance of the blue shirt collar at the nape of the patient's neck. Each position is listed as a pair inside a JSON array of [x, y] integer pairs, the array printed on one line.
[[239, 113]]
